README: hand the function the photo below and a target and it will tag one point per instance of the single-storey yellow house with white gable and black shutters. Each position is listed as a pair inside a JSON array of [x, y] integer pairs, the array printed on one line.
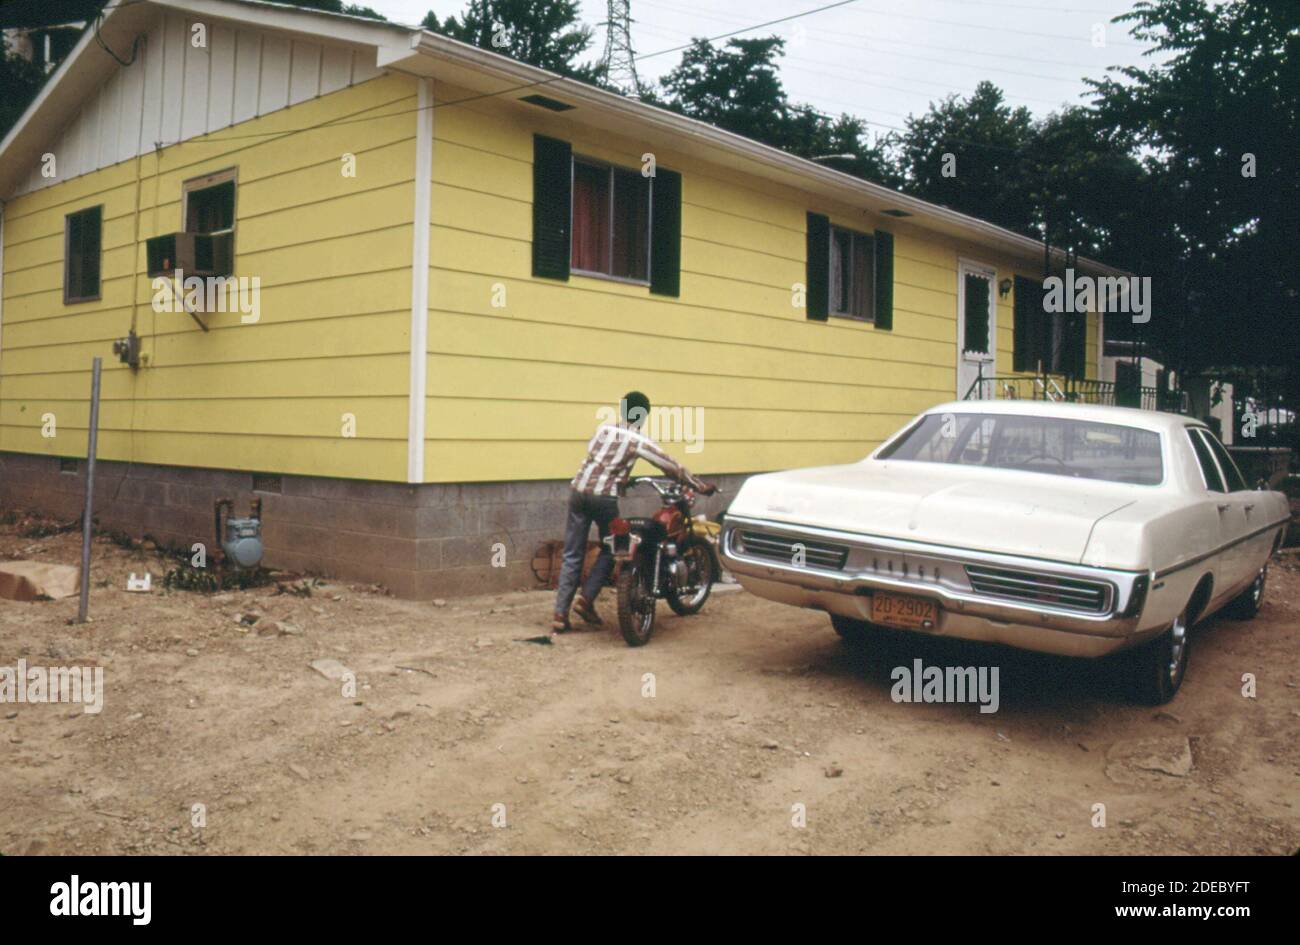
[[436, 268]]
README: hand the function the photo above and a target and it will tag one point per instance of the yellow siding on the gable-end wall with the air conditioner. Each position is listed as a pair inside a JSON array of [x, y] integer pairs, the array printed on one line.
[[333, 255]]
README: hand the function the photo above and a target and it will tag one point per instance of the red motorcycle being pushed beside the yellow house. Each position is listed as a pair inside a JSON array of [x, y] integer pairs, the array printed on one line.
[[668, 556]]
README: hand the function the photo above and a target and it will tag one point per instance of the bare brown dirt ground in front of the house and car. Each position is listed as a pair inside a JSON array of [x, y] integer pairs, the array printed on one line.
[[756, 709]]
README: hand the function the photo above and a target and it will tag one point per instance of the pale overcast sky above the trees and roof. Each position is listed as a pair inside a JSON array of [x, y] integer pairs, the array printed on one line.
[[883, 60]]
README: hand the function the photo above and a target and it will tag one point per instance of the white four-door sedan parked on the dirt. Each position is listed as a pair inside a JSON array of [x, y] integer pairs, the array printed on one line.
[[1061, 528]]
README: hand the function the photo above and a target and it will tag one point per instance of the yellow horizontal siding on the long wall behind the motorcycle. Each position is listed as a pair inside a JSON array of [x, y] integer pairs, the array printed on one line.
[[514, 391]]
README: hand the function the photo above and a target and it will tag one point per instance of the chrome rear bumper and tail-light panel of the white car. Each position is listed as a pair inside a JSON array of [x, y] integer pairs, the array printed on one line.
[[1035, 605]]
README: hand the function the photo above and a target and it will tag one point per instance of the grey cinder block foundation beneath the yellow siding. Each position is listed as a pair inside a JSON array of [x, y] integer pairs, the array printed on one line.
[[421, 541]]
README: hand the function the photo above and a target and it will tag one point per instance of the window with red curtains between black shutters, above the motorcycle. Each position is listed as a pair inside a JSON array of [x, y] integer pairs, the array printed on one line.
[[612, 222]]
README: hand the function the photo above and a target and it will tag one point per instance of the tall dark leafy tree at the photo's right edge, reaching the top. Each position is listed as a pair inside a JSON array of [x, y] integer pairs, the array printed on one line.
[[1217, 123]]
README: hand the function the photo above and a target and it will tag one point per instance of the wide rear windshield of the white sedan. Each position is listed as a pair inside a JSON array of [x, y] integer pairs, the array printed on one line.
[[1080, 449]]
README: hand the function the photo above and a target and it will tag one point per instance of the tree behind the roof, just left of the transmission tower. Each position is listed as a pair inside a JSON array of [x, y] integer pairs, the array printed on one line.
[[543, 33]]
